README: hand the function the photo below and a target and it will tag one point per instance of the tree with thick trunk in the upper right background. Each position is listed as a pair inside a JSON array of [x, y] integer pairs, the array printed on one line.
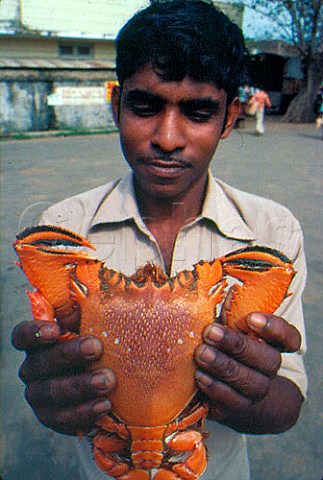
[[301, 23]]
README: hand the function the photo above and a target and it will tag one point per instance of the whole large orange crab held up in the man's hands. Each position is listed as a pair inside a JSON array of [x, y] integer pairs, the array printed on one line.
[[150, 325]]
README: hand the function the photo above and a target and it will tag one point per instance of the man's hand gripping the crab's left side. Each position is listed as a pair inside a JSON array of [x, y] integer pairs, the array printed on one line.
[[62, 394]]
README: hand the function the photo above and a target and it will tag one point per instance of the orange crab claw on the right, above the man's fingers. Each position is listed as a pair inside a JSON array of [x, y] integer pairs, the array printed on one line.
[[265, 274]]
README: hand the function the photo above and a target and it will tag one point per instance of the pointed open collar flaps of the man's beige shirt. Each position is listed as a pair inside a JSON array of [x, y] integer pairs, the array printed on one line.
[[121, 205]]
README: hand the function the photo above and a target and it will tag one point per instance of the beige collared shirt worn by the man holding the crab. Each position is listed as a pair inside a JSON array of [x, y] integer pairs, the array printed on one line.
[[231, 219]]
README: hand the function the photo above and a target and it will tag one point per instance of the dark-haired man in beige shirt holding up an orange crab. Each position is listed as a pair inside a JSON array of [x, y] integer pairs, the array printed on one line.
[[179, 66]]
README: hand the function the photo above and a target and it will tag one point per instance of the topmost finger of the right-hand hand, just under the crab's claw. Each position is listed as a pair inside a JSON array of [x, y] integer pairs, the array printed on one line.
[[276, 331]]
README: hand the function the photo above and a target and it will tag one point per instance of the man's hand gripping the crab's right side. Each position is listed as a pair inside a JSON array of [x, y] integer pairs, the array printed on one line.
[[239, 374]]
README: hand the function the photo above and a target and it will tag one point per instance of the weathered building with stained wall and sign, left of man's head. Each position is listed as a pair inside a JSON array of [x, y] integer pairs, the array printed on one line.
[[55, 73]]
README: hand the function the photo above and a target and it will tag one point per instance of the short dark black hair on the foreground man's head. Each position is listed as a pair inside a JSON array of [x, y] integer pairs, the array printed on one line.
[[184, 37]]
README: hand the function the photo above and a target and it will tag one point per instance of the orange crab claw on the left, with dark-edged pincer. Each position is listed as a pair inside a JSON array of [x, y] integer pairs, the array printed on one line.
[[47, 255]]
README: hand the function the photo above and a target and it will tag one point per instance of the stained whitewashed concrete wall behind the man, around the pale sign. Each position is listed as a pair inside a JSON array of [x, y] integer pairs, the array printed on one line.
[[24, 108]]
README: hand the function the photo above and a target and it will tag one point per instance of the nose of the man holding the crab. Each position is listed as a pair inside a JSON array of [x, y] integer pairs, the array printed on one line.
[[169, 132]]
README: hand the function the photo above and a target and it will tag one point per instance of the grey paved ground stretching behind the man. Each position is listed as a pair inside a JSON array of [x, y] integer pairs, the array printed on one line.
[[285, 165]]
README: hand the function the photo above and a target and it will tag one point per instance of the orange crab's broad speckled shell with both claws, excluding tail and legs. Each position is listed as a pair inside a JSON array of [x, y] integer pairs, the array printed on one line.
[[149, 324]]
